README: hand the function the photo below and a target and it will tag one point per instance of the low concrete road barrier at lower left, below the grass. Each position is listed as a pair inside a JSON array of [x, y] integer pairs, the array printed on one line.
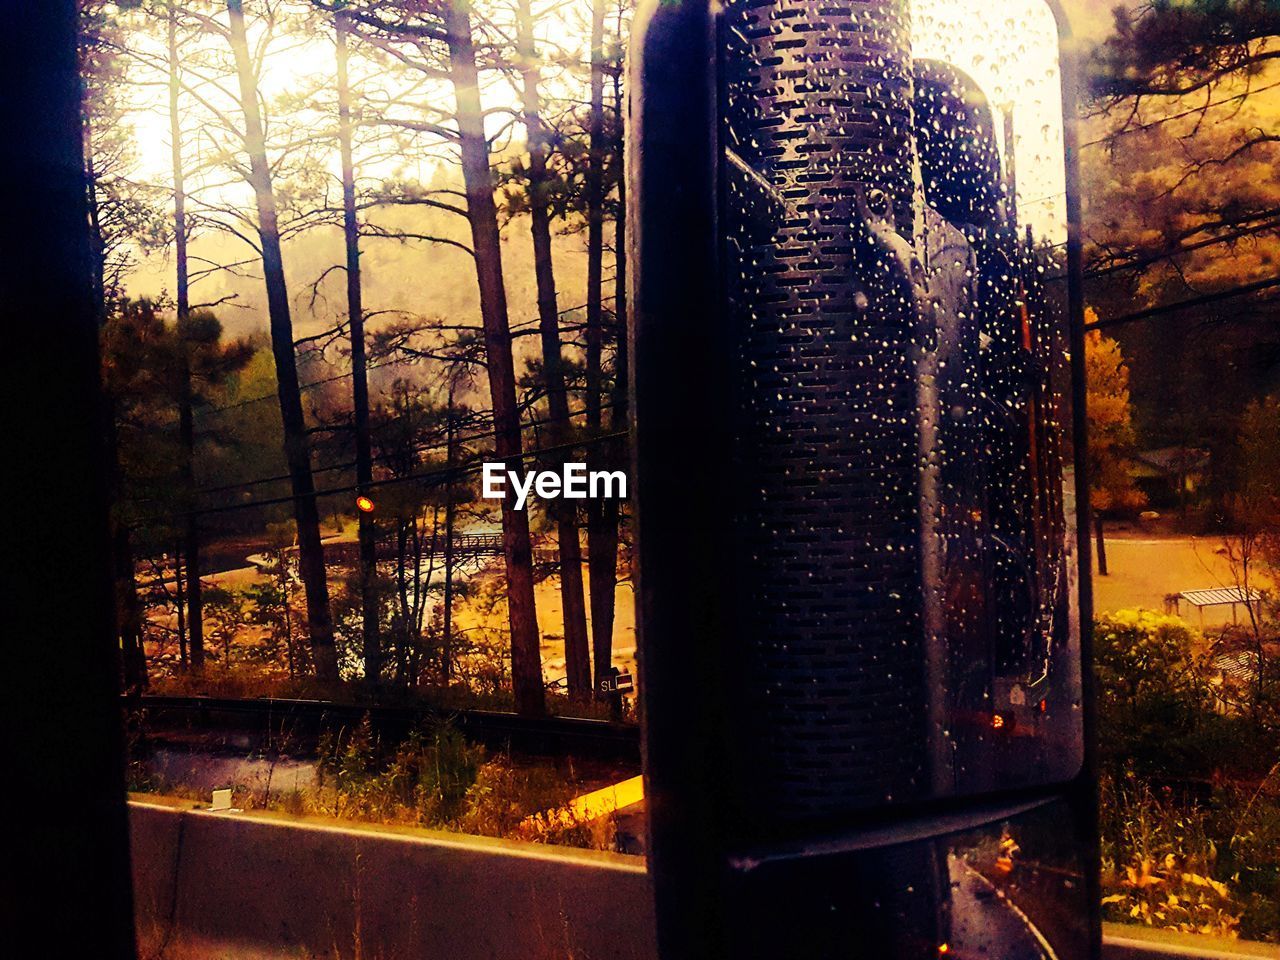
[[241, 885]]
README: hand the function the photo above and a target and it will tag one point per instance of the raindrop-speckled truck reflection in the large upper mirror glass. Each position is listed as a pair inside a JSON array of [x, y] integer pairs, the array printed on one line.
[[895, 198]]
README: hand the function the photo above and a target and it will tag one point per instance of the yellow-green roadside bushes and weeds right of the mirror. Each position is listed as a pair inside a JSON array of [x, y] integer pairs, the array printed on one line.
[[1191, 779]]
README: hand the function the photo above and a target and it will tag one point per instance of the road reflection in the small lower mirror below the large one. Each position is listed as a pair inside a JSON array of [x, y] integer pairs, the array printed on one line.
[[1012, 889]]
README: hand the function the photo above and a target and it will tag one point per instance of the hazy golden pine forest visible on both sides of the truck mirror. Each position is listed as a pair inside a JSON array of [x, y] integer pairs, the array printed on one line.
[[349, 250]]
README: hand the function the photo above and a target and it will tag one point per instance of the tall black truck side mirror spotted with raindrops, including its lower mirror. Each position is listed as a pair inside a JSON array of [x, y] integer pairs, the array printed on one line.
[[858, 476]]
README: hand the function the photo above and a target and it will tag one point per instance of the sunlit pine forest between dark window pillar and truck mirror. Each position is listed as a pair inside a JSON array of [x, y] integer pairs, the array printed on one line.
[[348, 253]]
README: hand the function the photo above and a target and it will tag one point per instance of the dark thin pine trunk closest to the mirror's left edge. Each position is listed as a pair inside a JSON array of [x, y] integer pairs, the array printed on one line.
[[605, 554]]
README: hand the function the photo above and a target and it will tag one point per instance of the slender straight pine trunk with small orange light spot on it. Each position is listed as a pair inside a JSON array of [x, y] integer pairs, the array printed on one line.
[[371, 612]]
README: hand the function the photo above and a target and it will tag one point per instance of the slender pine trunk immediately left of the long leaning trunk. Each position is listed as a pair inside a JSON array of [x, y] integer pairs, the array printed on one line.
[[186, 413]]
